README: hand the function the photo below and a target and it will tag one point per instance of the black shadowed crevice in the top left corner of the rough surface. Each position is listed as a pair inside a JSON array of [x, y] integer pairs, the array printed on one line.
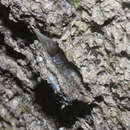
[[19, 29]]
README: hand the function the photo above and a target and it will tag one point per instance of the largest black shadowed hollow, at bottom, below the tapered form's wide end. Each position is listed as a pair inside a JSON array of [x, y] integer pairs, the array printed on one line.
[[51, 104]]
